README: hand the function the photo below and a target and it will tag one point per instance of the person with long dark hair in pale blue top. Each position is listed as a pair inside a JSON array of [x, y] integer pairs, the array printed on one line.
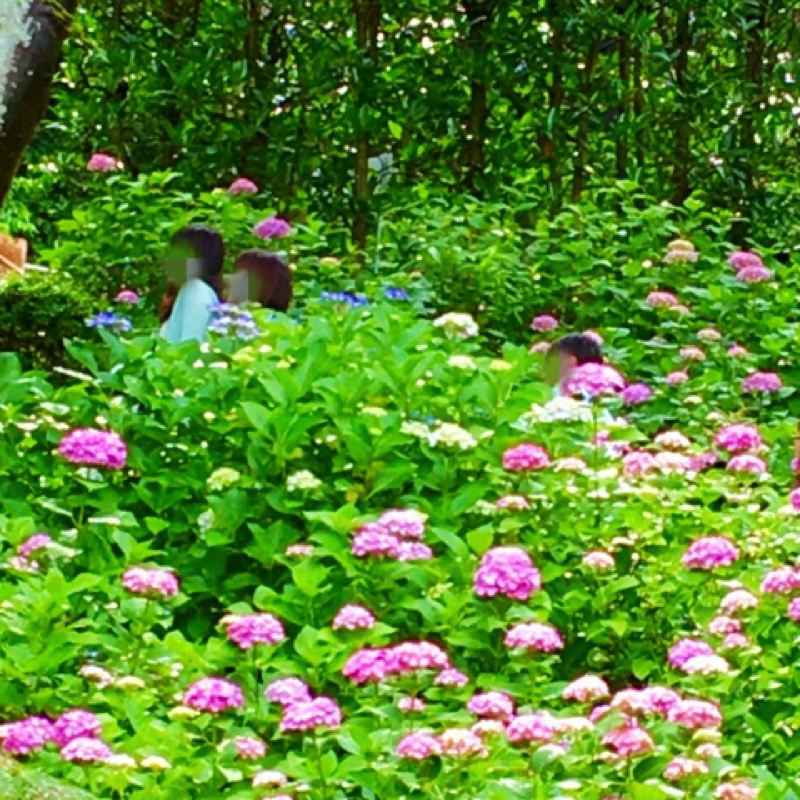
[[194, 272]]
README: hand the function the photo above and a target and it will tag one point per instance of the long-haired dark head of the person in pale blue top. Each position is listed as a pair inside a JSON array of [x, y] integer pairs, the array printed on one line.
[[194, 252]]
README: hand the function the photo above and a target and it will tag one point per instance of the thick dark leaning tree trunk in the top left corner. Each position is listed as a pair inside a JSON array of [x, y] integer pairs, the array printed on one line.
[[30, 83]]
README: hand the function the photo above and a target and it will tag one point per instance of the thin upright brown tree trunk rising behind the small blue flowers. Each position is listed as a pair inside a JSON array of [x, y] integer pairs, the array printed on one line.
[[368, 16]]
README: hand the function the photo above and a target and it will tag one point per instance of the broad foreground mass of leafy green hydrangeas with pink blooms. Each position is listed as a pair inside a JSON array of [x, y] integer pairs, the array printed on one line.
[[366, 555]]
